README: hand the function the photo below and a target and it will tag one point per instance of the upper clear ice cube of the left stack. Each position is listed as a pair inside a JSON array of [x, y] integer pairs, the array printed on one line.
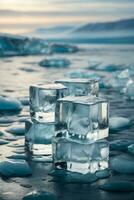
[[43, 99]]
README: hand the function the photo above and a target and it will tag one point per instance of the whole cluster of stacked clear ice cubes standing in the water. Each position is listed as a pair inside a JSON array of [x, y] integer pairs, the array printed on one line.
[[70, 112]]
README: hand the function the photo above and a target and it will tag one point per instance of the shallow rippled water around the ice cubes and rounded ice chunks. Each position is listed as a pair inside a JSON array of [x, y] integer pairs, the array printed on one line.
[[17, 73]]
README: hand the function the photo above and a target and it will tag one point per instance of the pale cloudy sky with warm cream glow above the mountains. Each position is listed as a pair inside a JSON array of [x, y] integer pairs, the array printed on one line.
[[19, 16]]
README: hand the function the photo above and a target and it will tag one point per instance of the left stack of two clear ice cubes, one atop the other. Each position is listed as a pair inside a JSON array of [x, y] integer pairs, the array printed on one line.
[[40, 129]]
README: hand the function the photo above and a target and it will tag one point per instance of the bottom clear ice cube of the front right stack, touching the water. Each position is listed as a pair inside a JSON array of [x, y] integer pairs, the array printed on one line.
[[80, 156]]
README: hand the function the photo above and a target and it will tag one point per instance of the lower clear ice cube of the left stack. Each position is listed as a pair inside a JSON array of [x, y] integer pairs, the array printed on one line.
[[38, 137]]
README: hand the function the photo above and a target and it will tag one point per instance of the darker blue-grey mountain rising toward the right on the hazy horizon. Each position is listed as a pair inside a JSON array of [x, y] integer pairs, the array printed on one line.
[[126, 24]]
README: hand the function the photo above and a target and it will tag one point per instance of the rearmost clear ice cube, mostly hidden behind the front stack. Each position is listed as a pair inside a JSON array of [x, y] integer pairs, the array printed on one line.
[[81, 87]]
